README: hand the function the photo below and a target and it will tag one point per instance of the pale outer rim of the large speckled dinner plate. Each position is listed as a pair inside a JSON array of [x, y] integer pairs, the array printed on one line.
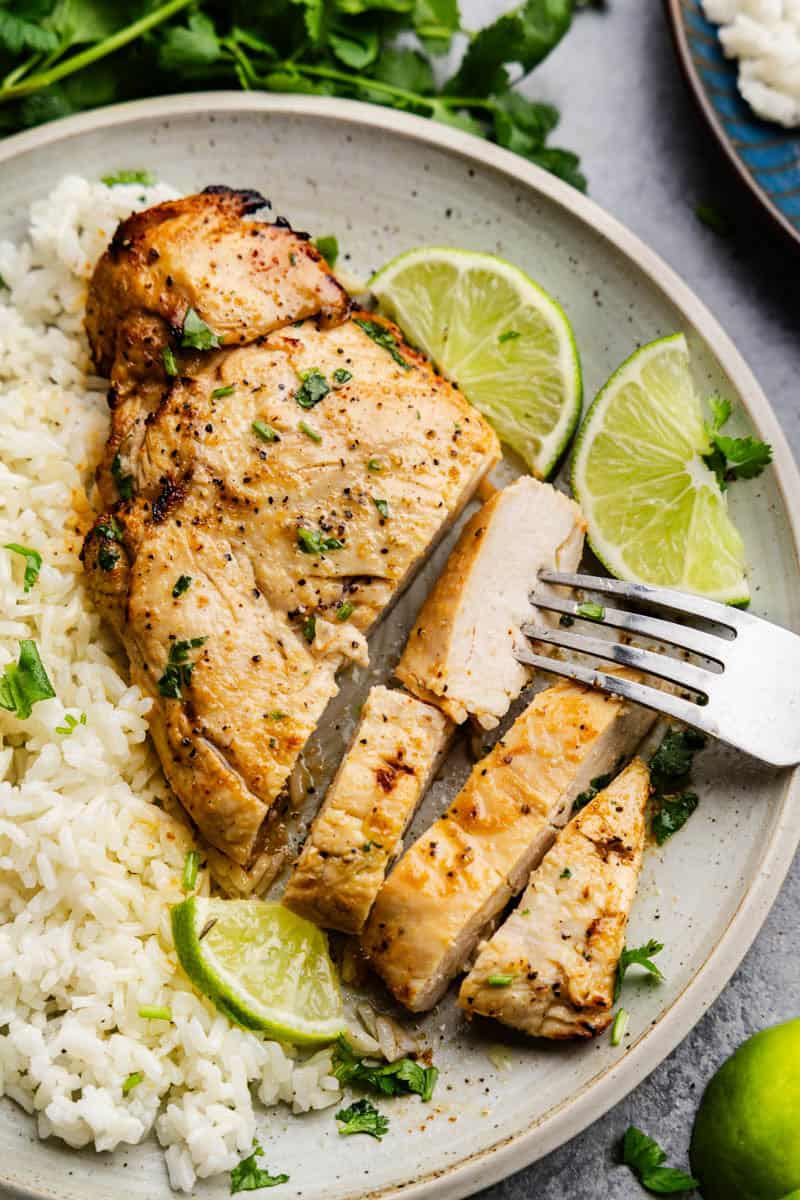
[[598, 1096]]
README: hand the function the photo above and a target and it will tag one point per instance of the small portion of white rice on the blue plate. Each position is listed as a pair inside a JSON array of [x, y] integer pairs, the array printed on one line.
[[765, 35]]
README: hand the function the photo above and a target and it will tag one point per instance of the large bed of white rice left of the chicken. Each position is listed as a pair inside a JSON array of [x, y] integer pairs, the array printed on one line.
[[89, 863]]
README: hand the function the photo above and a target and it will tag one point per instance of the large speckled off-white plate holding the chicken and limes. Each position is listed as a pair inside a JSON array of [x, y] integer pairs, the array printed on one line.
[[384, 182]]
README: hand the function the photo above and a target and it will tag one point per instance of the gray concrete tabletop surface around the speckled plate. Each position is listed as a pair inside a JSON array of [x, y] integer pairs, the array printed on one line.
[[651, 160]]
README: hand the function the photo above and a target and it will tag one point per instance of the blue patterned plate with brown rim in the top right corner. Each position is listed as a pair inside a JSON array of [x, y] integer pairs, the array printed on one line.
[[766, 155]]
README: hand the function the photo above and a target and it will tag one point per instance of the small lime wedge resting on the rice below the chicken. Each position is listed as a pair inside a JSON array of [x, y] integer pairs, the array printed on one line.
[[263, 967]]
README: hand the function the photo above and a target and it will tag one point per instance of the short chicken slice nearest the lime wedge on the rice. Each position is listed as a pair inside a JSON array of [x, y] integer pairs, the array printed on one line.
[[395, 753]]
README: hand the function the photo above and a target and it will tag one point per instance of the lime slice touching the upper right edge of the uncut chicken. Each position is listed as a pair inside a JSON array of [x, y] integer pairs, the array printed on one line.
[[489, 328]]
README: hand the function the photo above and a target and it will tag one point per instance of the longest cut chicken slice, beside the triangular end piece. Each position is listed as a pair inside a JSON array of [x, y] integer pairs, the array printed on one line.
[[454, 883]]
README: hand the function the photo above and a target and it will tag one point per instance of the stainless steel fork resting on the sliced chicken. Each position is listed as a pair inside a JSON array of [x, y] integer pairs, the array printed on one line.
[[751, 700]]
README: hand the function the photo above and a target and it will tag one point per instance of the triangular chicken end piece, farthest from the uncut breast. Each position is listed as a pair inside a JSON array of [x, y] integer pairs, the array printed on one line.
[[550, 970]]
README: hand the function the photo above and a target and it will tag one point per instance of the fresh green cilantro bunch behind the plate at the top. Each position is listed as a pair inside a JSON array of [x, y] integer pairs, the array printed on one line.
[[63, 57]]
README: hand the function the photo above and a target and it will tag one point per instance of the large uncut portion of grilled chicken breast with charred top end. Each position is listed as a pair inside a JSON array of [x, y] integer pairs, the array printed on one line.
[[278, 497]]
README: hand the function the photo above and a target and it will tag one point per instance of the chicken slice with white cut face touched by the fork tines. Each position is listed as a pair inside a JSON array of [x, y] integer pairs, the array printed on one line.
[[461, 653]]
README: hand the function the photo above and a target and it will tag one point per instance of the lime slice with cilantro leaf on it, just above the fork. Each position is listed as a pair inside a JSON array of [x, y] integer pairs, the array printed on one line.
[[654, 509]]
